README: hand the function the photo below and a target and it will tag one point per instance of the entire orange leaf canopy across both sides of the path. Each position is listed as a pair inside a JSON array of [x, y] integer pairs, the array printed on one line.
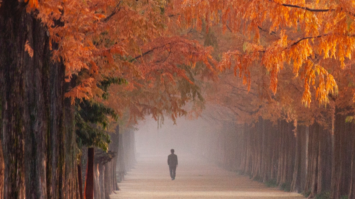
[[141, 42]]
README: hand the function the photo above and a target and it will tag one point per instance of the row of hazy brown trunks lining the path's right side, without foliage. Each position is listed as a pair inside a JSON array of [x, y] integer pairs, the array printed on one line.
[[306, 159]]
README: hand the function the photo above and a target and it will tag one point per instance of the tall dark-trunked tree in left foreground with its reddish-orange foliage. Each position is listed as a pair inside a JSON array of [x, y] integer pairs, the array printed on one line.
[[54, 49]]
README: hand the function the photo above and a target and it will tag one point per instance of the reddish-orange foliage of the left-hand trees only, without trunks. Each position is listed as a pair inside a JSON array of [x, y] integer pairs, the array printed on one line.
[[138, 41]]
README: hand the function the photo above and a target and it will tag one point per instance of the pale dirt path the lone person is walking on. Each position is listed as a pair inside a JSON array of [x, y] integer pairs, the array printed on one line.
[[195, 179]]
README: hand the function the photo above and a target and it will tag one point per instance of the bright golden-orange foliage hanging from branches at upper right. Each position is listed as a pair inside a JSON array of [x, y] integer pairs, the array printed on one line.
[[310, 34]]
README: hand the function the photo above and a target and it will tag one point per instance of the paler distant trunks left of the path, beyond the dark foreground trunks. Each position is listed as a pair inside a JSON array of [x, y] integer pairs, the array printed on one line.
[[109, 167]]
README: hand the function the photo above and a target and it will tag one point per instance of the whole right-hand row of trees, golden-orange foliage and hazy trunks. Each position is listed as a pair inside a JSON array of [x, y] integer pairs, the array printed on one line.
[[303, 51]]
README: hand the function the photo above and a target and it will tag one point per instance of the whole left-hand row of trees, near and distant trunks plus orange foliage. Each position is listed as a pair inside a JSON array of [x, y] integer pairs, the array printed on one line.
[[70, 69]]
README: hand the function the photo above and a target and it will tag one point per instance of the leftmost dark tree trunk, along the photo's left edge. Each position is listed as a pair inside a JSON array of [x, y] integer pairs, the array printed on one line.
[[12, 73]]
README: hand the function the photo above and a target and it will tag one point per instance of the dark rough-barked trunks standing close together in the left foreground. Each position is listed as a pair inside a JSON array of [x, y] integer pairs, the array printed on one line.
[[32, 114]]
